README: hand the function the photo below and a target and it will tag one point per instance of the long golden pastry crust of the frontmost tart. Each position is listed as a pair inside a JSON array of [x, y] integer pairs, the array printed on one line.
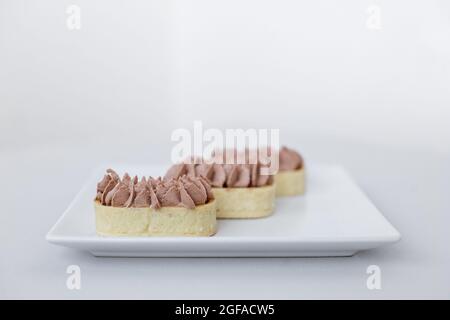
[[165, 221]]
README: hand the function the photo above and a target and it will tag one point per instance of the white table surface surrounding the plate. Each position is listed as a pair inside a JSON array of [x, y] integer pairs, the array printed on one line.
[[410, 187]]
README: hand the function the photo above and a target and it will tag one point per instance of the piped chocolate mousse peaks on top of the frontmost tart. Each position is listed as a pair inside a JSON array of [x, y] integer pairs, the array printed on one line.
[[182, 191]]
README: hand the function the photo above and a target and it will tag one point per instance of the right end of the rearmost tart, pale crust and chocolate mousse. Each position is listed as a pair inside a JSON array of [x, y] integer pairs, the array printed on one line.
[[290, 179]]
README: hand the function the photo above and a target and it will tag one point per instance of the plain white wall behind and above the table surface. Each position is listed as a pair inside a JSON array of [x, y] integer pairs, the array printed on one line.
[[137, 70]]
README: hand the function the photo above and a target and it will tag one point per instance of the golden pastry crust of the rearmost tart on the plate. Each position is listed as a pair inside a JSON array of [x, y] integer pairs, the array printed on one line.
[[290, 182]]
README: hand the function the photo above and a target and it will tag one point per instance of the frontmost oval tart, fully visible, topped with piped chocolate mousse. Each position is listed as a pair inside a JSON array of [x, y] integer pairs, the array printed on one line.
[[126, 206]]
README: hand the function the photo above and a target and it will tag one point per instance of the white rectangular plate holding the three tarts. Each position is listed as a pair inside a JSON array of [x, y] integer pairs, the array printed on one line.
[[333, 218]]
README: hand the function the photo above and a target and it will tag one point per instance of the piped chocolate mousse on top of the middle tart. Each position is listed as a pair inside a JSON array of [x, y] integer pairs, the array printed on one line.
[[222, 175]]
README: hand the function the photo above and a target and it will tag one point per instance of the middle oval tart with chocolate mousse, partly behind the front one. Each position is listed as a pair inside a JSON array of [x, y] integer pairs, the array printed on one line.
[[239, 189]]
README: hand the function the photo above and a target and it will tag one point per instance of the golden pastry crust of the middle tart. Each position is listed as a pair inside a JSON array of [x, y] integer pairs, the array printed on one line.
[[241, 203]]
